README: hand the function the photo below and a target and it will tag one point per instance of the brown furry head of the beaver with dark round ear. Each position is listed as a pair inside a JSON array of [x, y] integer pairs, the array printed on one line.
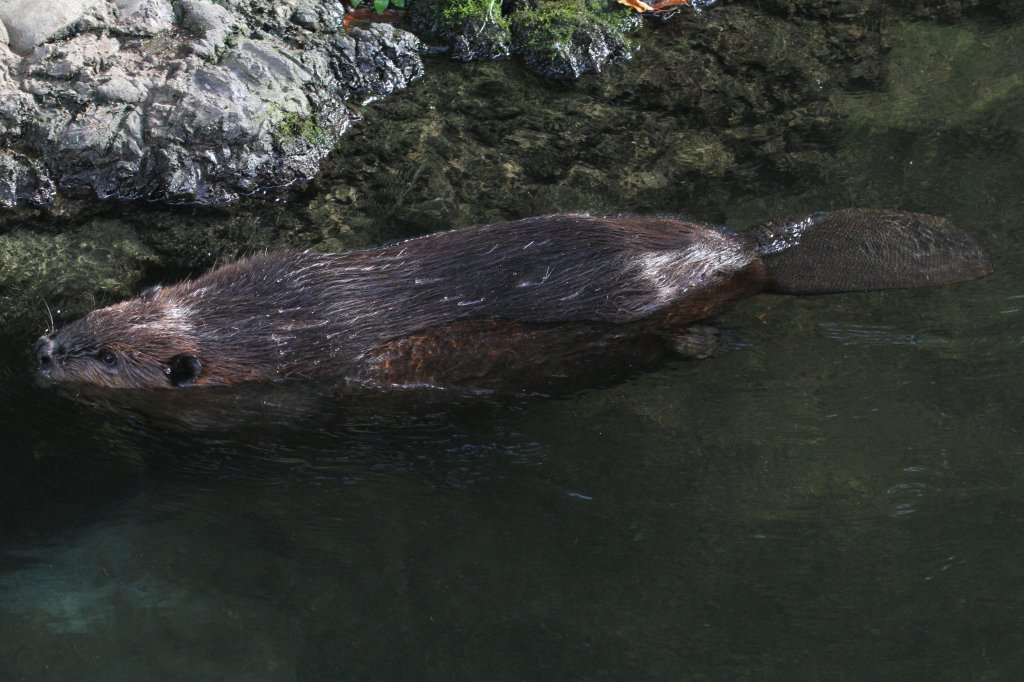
[[146, 343]]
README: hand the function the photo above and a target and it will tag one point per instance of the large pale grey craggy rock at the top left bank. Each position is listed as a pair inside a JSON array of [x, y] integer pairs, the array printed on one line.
[[185, 102]]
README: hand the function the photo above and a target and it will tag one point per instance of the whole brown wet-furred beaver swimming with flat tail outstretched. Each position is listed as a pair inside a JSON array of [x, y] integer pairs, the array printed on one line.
[[490, 306]]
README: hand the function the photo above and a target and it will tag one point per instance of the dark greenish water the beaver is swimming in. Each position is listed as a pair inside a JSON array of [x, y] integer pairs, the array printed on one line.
[[838, 496]]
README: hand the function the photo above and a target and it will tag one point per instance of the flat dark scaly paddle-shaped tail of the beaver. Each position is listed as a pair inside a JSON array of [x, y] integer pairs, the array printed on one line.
[[866, 249]]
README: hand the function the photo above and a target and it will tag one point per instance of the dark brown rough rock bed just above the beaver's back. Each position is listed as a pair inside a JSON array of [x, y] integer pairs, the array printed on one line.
[[749, 100]]
